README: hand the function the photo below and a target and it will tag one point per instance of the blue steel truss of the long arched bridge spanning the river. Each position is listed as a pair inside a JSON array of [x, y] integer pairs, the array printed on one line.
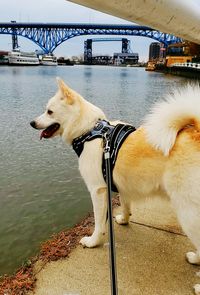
[[48, 36]]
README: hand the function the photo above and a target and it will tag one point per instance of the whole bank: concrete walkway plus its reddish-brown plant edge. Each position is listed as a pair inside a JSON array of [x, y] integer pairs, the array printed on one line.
[[149, 241]]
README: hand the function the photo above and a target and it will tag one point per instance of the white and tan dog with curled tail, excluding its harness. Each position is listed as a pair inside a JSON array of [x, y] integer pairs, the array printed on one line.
[[163, 155]]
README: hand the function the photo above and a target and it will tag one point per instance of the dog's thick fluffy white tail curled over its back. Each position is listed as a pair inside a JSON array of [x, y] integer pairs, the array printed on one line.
[[168, 117]]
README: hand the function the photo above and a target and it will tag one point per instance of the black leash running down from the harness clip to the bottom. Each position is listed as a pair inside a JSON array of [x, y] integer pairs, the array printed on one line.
[[113, 269]]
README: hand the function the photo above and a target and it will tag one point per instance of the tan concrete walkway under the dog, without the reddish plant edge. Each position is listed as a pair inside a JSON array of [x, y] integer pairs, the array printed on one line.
[[150, 260]]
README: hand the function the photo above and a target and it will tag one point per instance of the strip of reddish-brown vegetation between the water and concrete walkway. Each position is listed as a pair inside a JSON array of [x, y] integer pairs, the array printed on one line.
[[58, 246]]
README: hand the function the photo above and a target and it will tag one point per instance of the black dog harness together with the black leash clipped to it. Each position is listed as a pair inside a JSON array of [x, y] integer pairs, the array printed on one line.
[[113, 138]]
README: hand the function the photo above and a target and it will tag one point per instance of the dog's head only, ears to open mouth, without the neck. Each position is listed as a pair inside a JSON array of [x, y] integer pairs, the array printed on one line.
[[60, 111]]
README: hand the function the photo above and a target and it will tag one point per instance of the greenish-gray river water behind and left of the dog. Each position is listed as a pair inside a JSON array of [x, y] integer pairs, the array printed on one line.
[[41, 191]]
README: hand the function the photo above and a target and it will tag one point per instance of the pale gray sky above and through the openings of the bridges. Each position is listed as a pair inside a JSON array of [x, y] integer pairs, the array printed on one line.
[[63, 11]]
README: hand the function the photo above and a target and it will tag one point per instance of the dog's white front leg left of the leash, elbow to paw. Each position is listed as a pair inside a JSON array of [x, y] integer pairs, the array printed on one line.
[[100, 212]]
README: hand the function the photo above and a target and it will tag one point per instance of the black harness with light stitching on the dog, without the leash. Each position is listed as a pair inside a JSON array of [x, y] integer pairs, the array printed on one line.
[[115, 136]]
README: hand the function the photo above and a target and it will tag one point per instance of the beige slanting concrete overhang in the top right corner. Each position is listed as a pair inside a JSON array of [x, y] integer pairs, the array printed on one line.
[[178, 17]]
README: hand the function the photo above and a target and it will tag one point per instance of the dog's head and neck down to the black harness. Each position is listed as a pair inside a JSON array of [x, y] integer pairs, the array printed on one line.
[[67, 114]]
